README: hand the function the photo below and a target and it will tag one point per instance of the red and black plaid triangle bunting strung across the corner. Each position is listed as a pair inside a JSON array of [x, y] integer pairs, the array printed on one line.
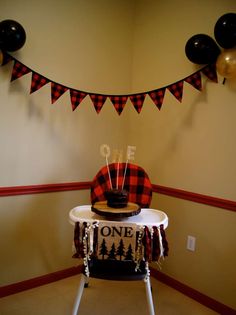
[[119, 101]]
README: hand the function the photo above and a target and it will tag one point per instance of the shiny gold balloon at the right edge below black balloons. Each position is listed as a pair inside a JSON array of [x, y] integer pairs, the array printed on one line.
[[226, 63]]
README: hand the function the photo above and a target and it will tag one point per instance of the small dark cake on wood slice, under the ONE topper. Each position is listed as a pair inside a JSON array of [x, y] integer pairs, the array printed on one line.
[[116, 198]]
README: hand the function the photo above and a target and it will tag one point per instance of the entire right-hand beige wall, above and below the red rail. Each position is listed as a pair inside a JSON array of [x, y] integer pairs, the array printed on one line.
[[188, 145]]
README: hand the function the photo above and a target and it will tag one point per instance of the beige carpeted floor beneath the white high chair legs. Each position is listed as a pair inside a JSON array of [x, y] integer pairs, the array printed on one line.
[[101, 297]]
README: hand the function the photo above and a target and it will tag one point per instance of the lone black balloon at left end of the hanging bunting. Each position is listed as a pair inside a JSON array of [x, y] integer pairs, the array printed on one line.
[[12, 35]]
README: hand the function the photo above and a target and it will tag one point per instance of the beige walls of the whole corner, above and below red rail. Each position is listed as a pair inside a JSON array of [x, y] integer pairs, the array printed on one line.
[[116, 47]]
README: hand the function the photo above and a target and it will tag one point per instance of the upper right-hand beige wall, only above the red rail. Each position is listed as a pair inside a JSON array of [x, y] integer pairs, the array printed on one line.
[[187, 145]]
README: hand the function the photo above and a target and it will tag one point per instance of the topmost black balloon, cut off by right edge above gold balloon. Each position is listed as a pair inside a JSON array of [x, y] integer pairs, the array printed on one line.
[[225, 30]]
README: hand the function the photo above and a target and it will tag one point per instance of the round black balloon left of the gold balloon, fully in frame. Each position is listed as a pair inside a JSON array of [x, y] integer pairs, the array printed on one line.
[[202, 49]]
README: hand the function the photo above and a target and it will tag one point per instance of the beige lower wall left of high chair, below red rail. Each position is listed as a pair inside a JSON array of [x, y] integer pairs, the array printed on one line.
[[35, 236]]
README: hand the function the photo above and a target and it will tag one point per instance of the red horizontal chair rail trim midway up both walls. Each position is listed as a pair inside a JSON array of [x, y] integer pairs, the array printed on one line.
[[173, 192]]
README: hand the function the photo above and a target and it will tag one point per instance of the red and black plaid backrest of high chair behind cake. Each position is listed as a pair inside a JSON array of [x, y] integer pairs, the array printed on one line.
[[137, 183]]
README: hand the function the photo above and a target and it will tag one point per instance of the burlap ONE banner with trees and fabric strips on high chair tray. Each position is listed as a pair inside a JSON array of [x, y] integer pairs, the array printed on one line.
[[153, 245]]
